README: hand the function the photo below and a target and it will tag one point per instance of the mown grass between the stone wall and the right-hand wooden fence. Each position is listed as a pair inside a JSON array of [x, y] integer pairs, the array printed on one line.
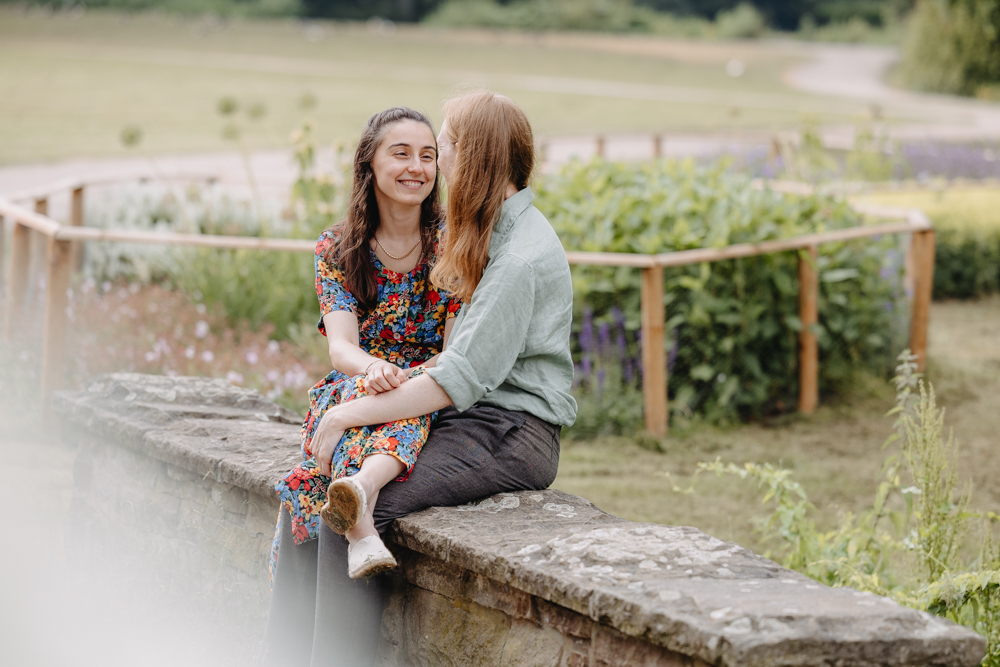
[[836, 453]]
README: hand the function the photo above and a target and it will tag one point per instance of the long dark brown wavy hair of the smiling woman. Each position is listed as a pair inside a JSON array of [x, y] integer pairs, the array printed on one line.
[[352, 251]]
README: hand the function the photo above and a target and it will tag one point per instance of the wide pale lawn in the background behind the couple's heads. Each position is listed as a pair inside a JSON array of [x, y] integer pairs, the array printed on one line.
[[68, 86]]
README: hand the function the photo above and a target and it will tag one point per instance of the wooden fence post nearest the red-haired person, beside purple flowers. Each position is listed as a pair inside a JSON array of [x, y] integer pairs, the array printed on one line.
[[654, 359]]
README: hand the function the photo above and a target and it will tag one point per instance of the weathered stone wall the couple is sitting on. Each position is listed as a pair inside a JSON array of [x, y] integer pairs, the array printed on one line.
[[176, 473]]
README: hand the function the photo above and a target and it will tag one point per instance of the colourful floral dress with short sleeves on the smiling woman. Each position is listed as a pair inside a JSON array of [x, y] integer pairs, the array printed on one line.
[[406, 328]]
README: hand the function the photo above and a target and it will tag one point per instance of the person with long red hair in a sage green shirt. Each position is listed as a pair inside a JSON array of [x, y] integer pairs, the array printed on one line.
[[501, 385]]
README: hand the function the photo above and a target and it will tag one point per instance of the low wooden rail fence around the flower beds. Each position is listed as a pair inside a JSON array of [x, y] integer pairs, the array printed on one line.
[[62, 252]]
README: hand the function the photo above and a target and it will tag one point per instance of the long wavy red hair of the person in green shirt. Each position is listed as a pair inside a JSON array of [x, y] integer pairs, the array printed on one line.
[[494, 147]]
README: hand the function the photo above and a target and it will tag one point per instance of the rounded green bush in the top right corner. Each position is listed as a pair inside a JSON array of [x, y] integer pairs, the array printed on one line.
[[953, 46]]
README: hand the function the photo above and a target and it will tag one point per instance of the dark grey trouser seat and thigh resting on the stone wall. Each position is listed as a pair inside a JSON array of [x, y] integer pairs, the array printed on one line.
[[473, 454]]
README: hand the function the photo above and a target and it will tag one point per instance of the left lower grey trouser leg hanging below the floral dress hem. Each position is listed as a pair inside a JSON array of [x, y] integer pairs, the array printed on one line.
[[288, 637]]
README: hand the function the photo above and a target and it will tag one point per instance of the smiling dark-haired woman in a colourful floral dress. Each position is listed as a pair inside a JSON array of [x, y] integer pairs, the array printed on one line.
[[383, 320]]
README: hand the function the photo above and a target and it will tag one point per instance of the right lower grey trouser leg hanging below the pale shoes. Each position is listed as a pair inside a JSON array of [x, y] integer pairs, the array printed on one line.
[[348, 611]]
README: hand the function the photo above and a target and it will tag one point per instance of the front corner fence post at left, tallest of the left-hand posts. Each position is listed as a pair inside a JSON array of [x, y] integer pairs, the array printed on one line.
[[59, 257]]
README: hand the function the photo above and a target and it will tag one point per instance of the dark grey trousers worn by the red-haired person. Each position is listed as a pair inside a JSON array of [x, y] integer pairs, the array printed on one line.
[[318, 615]]
